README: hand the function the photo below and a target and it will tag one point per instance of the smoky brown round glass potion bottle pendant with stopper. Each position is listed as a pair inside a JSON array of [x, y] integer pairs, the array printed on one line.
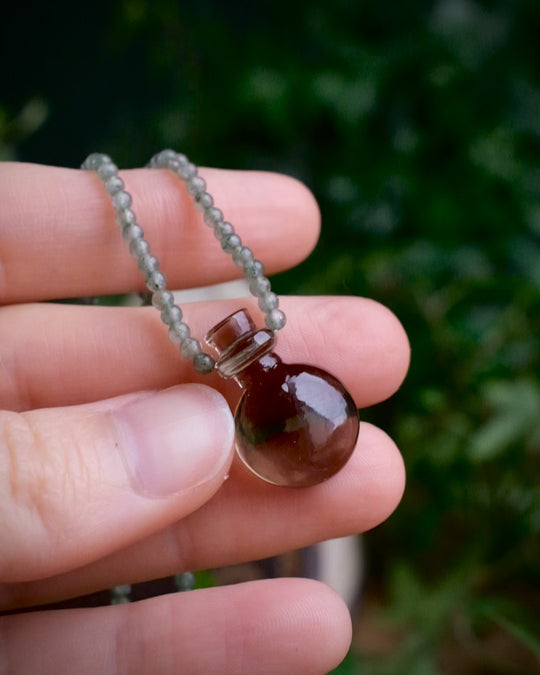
[[296, 425]]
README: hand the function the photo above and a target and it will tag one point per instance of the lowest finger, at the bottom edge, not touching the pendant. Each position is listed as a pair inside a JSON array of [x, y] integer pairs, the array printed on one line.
[[267, 627]]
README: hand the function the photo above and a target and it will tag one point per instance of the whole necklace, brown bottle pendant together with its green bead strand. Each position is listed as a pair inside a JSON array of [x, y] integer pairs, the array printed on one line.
[[296, 425]]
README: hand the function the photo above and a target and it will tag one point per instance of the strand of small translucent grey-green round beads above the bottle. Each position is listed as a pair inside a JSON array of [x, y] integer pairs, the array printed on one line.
[[162, 299]]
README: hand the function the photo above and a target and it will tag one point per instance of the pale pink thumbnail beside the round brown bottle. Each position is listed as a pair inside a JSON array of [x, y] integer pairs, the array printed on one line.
[[176, 439]]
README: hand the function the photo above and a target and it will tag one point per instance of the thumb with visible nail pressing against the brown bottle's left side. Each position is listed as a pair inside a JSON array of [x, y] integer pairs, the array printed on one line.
[[79, 483]]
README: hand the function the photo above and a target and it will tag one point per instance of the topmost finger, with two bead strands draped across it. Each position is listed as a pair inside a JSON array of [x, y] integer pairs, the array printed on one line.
[[58, 238]]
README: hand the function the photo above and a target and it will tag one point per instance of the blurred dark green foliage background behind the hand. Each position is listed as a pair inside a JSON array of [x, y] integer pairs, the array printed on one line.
[[416, 123]]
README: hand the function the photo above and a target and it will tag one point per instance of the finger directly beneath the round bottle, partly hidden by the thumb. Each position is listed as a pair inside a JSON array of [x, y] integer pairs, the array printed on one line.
[[245, 520]]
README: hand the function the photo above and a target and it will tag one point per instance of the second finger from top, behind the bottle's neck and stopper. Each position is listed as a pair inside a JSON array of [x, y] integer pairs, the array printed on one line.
[[56, 355]]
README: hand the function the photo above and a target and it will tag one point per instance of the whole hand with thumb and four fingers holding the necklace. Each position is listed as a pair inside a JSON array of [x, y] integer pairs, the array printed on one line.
[[111, 472]]
